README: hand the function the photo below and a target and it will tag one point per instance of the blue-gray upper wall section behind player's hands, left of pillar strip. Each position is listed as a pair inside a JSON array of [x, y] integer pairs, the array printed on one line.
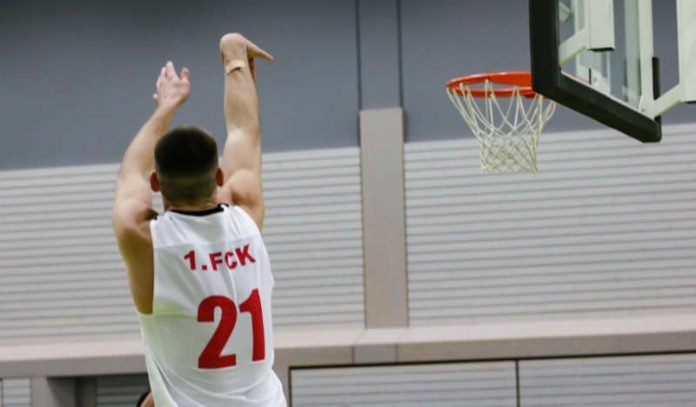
[[77, 75]]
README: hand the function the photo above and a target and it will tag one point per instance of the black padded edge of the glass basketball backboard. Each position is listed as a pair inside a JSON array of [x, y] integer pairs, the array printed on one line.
[[549, 80]]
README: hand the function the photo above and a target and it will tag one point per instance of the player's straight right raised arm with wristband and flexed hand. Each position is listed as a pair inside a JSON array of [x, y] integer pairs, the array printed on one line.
[[241, 159]]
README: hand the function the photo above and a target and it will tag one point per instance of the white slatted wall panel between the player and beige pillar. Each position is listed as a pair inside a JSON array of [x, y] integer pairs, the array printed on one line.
[[313, 231]]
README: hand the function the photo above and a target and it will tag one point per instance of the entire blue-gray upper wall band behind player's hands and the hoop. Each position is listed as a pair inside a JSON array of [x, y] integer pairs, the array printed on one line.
[[77, 75]]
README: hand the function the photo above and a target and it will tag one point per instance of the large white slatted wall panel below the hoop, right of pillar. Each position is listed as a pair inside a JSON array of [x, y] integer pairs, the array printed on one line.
[[607, 228]]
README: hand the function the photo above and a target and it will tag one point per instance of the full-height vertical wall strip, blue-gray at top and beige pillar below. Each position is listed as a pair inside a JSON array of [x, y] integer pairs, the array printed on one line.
[[381, 145]]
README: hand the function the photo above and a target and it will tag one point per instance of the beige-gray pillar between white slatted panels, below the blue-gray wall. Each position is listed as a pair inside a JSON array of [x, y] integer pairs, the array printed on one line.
[[384, 229]]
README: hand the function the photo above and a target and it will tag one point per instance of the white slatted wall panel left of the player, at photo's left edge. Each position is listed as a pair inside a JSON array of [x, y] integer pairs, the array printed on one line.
[[60, 273]]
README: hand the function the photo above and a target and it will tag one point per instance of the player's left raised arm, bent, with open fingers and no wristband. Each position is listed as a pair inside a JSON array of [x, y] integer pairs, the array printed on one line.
[[133, 197]]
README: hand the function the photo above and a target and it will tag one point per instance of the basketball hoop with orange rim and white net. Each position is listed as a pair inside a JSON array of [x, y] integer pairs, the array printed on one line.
[[507, 133]]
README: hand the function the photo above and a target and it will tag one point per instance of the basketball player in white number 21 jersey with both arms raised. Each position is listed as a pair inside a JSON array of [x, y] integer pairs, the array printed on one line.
[[199, 273]]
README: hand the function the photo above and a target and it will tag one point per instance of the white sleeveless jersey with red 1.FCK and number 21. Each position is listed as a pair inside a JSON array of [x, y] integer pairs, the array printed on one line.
[[209, 339]]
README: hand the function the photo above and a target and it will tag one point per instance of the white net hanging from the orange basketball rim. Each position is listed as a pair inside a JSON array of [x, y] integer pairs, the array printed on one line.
[[508, 133]]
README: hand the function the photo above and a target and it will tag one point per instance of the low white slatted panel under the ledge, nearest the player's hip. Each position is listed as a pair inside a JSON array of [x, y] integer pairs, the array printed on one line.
[[433, 385]]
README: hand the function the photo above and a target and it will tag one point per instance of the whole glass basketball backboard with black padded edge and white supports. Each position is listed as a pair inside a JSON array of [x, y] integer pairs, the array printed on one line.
[[596, 57]]
